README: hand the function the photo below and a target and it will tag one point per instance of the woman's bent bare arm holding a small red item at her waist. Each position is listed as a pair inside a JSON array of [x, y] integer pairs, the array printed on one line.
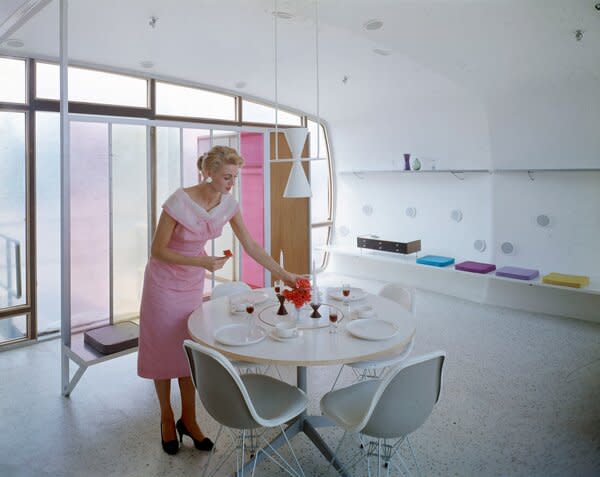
[[161, 251]]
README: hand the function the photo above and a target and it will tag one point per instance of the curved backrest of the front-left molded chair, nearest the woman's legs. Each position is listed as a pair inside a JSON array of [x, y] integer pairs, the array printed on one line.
[[220, 388]]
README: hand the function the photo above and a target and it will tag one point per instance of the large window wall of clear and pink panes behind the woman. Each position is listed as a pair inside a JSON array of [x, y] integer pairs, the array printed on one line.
[[109, 186]]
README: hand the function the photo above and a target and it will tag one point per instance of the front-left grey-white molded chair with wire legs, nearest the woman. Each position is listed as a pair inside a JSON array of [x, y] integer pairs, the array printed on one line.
[[243, 403]]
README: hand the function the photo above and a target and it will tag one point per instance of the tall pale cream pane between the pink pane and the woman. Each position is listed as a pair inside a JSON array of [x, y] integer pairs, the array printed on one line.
[[130, 218]]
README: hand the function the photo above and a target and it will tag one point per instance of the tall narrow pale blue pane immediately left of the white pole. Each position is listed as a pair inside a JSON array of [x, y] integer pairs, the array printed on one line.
[[47, 196]]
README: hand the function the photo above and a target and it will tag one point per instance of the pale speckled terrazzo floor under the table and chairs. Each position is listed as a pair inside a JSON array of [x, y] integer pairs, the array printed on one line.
[[521, 396]]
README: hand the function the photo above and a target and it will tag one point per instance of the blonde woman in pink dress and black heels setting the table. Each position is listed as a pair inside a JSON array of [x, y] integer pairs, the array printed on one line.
[[174, 284]]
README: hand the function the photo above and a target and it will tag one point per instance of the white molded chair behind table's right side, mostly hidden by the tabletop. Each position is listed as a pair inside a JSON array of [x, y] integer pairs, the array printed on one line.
[[373, 369]]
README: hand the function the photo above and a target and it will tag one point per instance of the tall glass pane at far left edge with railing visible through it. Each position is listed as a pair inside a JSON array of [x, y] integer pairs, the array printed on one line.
[[12, 210]]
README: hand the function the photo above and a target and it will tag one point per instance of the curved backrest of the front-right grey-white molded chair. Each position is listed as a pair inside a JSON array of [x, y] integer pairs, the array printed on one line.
[[405, 397]]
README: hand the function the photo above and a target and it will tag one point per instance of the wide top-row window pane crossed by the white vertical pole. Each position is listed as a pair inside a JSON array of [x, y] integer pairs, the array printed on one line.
[[91, 86]]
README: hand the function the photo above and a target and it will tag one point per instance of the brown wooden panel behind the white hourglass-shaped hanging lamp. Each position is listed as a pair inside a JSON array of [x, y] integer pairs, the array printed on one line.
[[290, 226]]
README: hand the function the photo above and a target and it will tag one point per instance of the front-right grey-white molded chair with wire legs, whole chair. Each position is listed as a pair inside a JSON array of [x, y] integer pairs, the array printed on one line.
[[387, 409]]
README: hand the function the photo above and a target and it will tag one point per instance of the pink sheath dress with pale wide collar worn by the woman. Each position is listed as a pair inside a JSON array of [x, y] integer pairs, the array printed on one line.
[[172, 292]]
